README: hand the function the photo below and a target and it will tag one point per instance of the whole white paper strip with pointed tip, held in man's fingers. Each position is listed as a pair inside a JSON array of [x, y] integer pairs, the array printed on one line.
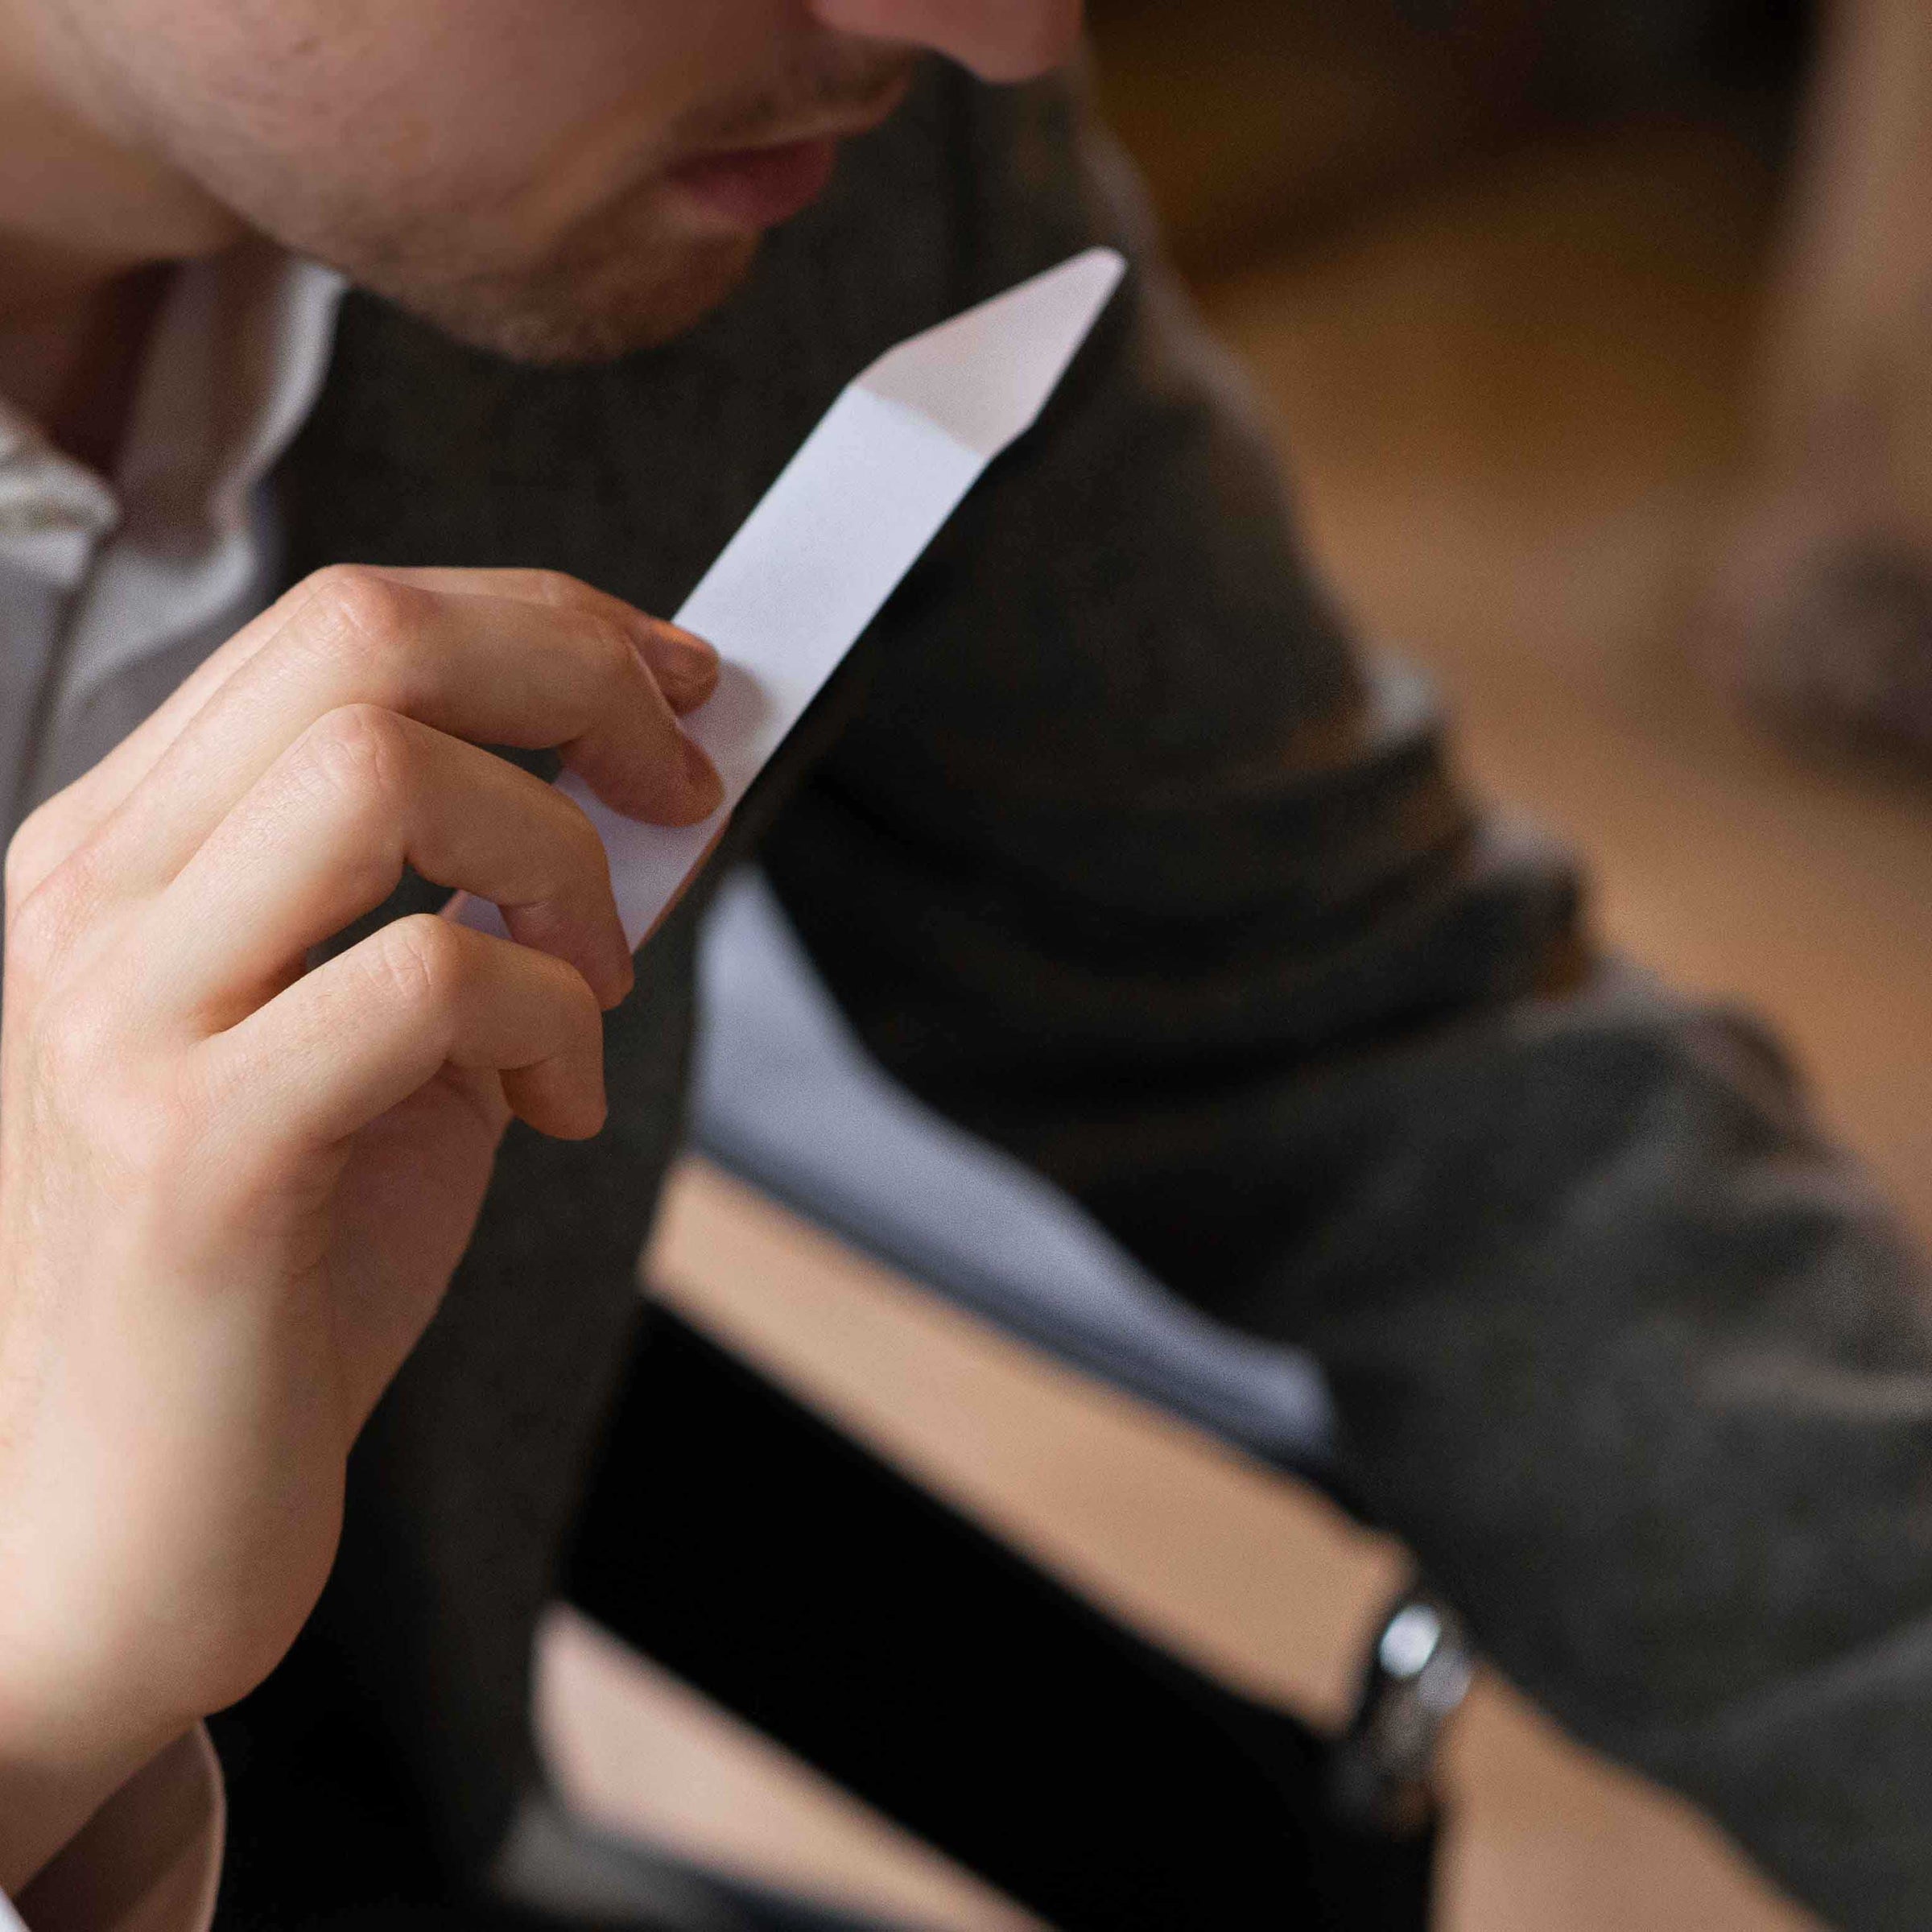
[[832, 540]]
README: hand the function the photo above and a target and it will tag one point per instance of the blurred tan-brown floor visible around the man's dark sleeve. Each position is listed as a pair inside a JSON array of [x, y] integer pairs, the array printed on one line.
[[1512, 411]]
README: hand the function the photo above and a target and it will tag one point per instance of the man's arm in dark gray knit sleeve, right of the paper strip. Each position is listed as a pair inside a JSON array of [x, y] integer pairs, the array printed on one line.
[[1131, 865]]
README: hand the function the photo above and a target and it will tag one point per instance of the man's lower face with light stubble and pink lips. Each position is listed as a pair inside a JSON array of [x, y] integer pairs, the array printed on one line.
[[505, 169]]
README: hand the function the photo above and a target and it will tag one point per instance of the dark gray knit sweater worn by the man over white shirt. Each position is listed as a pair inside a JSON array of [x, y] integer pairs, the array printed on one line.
[[1118, 851]]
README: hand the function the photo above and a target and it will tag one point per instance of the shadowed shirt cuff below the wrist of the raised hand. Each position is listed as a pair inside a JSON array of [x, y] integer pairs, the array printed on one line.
[[148, 1861]]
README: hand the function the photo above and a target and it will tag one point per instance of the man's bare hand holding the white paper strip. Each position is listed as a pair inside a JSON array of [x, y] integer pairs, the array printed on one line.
[[233, 1189]]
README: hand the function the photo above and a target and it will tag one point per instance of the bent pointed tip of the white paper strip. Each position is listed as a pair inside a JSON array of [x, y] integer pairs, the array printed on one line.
[[988, 374]]
